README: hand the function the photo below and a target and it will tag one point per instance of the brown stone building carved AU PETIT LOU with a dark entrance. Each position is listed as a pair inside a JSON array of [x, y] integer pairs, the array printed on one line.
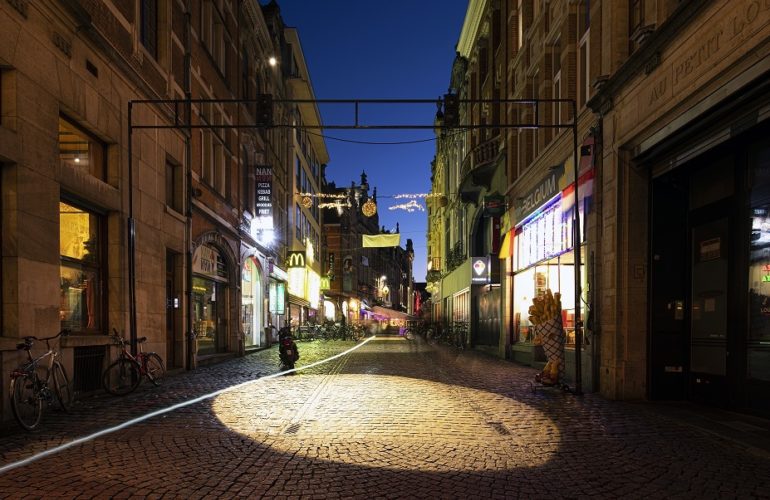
[[683, 109]]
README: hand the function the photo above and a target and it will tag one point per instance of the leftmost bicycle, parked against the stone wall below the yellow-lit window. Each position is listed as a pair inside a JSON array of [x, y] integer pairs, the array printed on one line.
[[39, 380]]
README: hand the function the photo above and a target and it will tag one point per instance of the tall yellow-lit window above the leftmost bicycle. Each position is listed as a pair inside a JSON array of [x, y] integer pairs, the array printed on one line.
[[81, 280]]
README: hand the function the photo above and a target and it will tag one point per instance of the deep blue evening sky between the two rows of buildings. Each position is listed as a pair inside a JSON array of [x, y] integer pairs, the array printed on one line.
[[401, 49]]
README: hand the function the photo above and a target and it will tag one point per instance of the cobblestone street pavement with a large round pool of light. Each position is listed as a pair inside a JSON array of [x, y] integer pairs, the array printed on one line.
[[393, 419]]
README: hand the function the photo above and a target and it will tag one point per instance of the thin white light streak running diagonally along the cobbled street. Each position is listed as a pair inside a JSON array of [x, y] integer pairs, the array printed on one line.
[[128, 423]]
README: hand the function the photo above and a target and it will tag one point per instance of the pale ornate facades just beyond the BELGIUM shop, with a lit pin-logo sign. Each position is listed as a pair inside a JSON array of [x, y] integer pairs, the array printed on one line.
[[469, 173]]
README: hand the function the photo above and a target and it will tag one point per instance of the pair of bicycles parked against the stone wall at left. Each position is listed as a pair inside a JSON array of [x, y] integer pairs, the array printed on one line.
[[42, 381]]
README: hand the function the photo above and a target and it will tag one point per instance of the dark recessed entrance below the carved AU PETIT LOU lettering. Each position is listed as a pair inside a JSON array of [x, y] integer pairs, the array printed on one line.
[[710, 278]]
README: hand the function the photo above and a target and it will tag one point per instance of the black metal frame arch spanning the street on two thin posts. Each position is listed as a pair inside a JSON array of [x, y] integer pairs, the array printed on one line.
[[178, 109]]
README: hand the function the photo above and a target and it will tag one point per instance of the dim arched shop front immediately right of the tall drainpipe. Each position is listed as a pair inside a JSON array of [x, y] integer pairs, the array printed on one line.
[[210, 290]]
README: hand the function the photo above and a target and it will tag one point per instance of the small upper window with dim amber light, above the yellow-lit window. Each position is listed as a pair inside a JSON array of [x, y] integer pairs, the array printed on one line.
[[81, 150]]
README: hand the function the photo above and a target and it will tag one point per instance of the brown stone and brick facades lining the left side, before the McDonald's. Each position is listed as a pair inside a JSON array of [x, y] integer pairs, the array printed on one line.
[[196, 272]]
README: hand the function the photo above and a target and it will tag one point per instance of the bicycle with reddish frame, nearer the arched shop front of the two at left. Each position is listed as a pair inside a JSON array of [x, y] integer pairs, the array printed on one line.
[[125, 374]]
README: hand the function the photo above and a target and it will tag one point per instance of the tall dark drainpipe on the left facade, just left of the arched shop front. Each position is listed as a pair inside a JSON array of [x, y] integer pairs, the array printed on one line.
[[190, 335]]
